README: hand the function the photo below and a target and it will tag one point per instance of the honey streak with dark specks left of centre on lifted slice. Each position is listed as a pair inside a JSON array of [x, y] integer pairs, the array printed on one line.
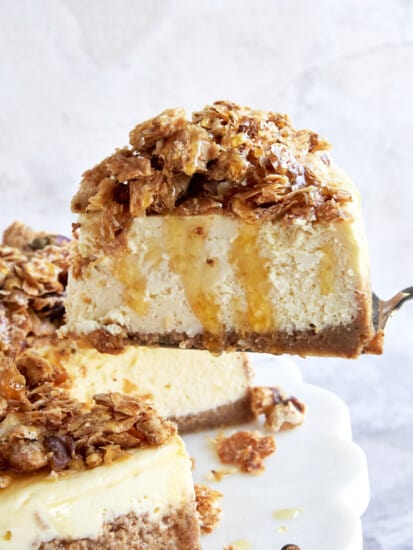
[[186, 245]]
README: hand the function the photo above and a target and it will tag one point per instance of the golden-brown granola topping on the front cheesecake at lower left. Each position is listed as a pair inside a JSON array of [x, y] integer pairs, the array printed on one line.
[[42, 427]]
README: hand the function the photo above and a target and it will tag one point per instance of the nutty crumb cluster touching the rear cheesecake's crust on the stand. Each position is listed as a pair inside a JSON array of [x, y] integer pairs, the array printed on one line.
[[282, 412]]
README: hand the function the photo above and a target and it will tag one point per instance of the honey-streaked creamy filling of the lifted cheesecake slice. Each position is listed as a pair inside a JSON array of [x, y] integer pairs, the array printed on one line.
[[215, 273]]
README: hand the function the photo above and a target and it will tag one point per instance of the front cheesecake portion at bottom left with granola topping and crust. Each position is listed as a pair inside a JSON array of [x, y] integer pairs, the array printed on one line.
[[113, 475]]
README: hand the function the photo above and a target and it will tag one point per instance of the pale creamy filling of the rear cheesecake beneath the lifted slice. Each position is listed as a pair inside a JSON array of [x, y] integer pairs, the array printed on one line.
[[180, 382]]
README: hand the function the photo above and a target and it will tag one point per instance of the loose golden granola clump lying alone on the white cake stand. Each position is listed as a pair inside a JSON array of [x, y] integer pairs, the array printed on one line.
[[246, 449]]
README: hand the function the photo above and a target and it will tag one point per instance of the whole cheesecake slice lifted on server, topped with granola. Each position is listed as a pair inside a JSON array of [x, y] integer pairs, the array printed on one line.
[[229, 230]]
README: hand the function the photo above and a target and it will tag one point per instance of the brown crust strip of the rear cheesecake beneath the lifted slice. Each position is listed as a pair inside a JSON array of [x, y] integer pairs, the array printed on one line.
[[237, 412]]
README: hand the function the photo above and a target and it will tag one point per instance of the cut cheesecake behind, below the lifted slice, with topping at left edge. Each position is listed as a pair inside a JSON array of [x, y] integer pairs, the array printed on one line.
[[195, 389]]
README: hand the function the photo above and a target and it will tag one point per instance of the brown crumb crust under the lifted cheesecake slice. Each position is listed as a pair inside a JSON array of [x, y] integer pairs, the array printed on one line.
[[341, 341]]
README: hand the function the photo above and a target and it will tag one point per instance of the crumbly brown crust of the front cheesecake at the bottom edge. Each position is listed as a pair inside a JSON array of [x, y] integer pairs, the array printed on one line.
[[179, 530]]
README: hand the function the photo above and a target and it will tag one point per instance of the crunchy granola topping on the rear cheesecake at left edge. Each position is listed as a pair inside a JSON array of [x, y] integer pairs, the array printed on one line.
[[33, 276]]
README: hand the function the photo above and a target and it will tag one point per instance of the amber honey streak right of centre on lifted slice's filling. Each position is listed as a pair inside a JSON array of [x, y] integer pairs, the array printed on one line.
[[253, 276]]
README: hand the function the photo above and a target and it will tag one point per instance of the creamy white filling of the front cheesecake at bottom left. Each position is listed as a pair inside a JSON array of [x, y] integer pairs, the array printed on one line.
[[152, 481]]
